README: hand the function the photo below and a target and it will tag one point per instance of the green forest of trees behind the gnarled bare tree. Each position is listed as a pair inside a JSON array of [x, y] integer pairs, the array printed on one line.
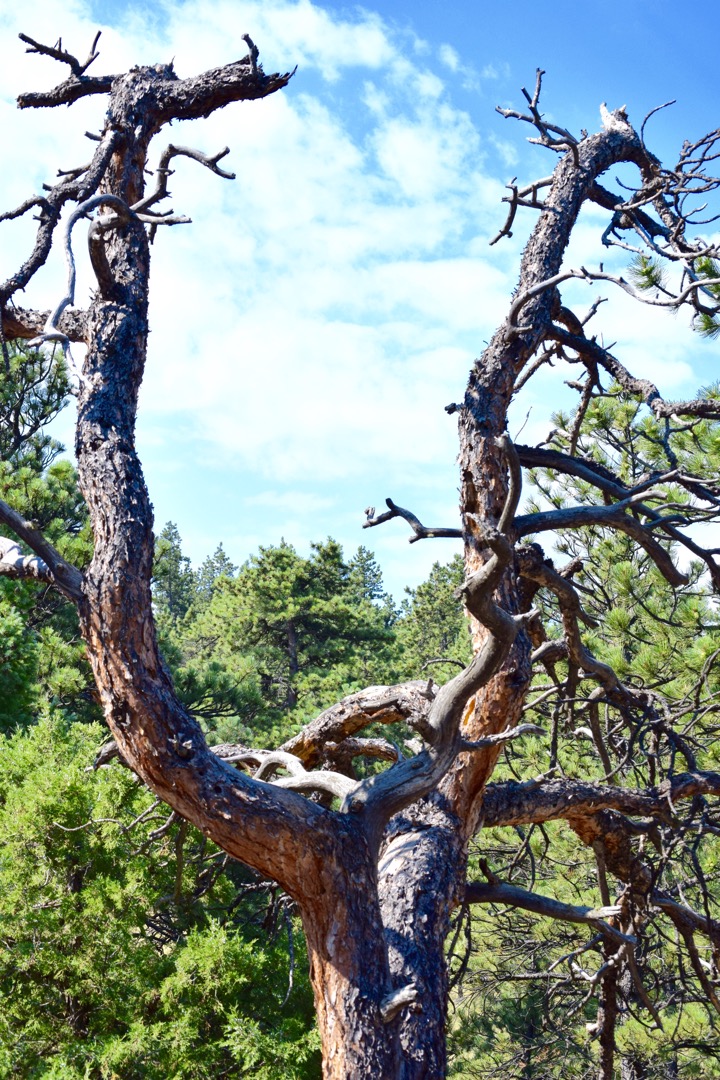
[[131, 947]]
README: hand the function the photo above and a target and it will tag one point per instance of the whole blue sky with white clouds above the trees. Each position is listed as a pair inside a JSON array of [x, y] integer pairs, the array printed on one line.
[[313, 323]]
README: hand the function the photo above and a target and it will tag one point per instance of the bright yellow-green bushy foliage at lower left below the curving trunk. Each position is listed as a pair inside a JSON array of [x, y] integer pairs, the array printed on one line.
[[123, 956]]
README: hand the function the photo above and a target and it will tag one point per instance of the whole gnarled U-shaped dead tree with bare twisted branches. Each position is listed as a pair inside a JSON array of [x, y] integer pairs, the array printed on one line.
[[377, 867]]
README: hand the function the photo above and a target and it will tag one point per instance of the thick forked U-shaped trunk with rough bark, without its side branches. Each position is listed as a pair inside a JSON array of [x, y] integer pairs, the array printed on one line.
[[376, 889]]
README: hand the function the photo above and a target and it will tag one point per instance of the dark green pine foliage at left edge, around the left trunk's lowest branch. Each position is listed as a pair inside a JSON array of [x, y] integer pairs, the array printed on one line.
[[44, 661]]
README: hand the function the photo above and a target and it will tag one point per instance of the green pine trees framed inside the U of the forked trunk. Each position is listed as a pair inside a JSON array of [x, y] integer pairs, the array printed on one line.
[[256, 653]]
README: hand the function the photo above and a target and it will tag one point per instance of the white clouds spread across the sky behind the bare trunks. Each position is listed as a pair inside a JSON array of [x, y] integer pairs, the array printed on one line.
[[310, 326]]
